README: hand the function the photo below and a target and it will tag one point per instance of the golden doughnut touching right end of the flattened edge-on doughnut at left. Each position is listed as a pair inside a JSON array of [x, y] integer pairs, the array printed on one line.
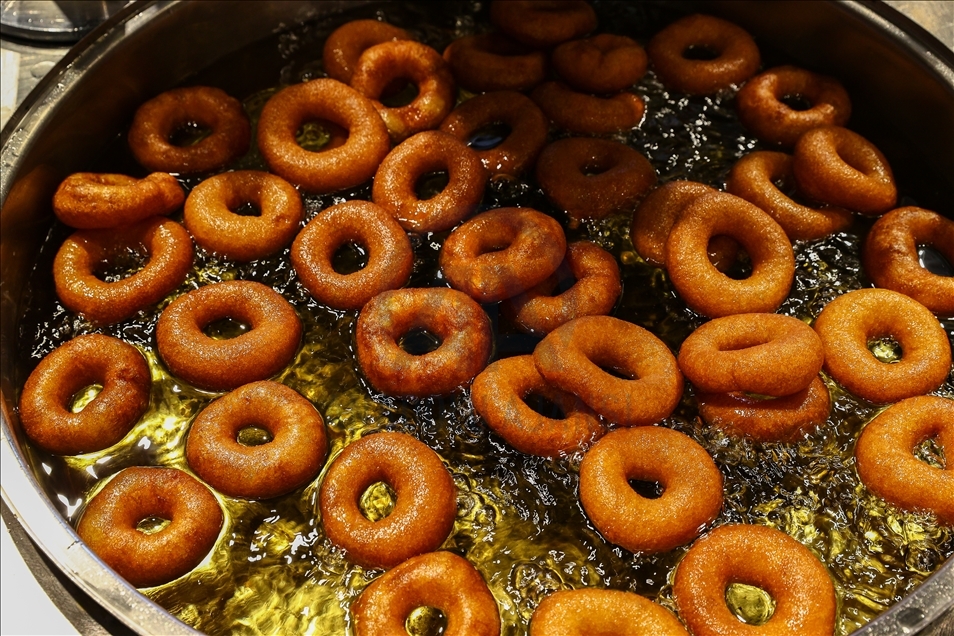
[[211, 217]]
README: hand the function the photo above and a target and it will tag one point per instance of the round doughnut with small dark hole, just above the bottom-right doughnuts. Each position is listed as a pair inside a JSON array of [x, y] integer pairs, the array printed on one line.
[[691, 484]]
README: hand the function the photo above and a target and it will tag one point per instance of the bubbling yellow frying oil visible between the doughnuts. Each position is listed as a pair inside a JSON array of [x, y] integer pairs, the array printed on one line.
[[519, 519]]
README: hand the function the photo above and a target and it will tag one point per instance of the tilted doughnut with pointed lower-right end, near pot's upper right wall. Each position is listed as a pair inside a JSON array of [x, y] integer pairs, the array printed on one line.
[[834, 165]]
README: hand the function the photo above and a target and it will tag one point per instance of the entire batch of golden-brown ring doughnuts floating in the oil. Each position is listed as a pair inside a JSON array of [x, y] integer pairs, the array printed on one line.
[[564, 93]]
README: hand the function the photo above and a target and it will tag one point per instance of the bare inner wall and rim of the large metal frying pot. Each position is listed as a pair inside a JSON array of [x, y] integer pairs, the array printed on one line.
[[900, 77]]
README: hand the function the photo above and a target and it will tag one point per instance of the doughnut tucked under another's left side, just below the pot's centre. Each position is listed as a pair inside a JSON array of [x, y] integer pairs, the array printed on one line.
[[500, 394]]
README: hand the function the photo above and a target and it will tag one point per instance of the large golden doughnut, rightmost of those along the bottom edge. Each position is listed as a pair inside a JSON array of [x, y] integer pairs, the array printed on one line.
[[762, 557]]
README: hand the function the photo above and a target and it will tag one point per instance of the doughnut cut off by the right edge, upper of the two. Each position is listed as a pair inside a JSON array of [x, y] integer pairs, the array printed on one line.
[[890, 256]]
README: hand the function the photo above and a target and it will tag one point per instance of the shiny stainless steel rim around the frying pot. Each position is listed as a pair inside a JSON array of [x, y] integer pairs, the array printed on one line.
[[20, 490]]
